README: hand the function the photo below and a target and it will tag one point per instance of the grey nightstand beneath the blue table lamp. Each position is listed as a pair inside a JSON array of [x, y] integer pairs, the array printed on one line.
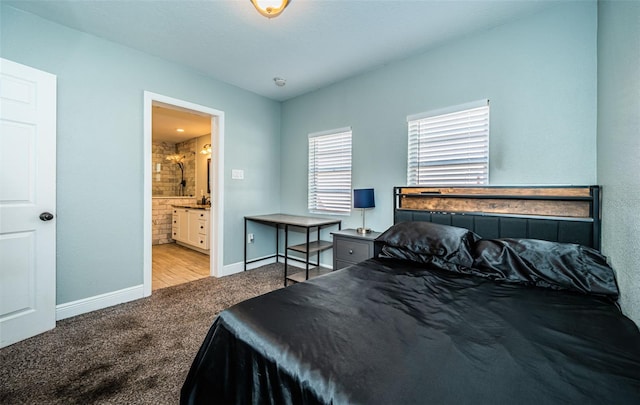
[[351, 247]]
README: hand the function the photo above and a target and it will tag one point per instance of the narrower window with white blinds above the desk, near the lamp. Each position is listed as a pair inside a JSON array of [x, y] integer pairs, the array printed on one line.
[[330, 171]]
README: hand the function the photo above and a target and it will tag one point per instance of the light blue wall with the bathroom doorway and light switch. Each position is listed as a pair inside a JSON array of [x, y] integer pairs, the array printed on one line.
[[100, 148]]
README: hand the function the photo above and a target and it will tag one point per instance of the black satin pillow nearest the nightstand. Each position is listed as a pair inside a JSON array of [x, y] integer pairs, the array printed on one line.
[[421, 241]]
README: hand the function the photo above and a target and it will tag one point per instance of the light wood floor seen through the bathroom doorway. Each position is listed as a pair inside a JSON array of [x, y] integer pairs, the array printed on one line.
[[173, 264]]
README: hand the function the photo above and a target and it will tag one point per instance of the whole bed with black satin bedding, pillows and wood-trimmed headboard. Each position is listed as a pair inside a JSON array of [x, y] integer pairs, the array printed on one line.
[[443, 315]]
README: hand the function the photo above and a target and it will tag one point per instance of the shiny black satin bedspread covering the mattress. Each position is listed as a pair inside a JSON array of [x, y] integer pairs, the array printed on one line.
[[392, 332]]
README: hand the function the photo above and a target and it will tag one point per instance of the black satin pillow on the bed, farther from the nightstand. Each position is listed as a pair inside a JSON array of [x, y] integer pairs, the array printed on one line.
[[554, 265]]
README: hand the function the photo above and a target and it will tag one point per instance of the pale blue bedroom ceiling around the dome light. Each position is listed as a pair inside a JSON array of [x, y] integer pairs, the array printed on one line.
[[313, 43]]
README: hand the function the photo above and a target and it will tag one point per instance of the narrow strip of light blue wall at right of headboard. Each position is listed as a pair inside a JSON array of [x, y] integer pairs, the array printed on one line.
[[619, 144]]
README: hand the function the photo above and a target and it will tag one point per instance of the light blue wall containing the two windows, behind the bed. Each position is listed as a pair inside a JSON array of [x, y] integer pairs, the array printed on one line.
[[539, 73]]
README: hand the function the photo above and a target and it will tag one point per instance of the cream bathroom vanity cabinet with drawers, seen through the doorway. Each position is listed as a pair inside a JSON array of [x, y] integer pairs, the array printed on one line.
[[190, 226]]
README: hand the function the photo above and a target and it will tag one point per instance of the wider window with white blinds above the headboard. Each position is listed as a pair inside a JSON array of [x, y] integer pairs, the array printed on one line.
[[449, 147]]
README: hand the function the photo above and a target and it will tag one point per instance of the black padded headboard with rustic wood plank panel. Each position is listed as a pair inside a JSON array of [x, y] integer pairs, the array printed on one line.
[[556, 213]]
